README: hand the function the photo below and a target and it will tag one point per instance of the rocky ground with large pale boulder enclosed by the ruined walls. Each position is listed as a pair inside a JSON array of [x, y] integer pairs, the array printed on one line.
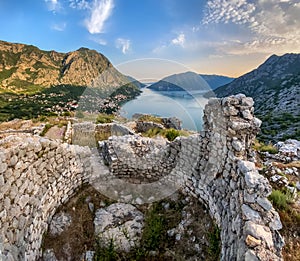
[[91, 227]]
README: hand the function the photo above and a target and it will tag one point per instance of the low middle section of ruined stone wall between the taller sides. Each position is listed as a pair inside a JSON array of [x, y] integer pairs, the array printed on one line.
[[137, 158]]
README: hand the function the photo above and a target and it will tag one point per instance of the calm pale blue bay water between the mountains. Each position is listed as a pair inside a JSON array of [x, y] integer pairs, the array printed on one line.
[[188, 108]]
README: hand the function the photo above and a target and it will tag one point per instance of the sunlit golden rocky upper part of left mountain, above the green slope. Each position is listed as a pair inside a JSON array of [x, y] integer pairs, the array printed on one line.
[[23, 65]]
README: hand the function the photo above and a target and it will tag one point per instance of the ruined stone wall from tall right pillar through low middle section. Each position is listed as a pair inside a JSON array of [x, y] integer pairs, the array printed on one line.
[[217, 167]]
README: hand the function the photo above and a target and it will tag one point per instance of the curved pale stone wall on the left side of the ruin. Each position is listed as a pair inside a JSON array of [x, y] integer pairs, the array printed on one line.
[[37, 175]]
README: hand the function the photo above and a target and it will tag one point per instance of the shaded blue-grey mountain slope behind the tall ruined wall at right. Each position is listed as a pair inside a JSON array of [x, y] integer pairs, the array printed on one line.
[[275, 88]]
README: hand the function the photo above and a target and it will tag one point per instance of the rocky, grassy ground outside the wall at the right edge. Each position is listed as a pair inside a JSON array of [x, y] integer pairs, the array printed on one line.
[[281, 165]]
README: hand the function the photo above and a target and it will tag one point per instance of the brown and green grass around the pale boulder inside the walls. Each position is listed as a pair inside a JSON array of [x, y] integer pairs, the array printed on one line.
[[79, 237]]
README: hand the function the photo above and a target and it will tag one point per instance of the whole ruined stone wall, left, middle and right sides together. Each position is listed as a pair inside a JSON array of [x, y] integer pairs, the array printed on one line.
[[216, 166]]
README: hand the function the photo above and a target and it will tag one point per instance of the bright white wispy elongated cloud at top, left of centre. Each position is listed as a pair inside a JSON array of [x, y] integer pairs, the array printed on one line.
[[100, 11]]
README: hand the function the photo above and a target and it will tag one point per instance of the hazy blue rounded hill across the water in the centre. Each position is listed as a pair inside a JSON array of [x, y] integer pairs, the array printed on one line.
[[188, 81]]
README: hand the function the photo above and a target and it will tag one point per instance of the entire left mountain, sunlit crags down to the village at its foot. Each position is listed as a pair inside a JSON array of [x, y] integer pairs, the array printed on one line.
[[35, 82]]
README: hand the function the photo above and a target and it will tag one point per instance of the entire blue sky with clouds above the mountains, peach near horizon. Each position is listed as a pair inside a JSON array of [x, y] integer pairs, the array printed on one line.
[[141, 36]]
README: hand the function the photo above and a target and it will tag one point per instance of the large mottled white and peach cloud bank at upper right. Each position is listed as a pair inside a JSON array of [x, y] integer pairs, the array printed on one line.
[[269, 26]]
